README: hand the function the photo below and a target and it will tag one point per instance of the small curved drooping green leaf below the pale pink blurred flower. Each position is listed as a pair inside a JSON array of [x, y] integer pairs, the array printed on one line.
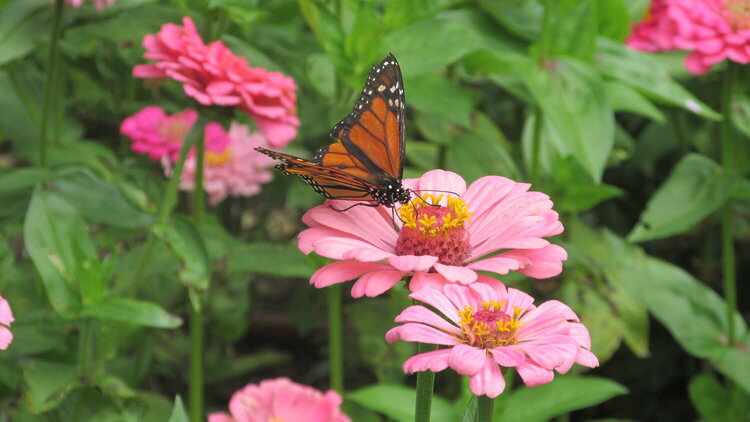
[[182, 237]]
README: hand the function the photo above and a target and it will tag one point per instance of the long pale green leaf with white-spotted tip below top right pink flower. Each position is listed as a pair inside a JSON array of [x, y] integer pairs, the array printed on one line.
[[641, 72]]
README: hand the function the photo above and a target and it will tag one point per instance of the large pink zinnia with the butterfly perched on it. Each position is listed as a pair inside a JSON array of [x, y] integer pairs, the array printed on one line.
[[494, 225]]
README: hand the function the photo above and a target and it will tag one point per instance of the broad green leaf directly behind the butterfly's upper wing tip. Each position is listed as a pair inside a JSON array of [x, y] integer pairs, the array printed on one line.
[[426, 46]]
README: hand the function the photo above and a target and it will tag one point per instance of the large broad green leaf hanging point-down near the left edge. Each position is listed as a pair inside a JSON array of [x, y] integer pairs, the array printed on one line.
[[53, 232]]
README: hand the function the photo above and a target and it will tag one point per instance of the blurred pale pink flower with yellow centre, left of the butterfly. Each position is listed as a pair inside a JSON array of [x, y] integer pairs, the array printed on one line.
[[232, 166]]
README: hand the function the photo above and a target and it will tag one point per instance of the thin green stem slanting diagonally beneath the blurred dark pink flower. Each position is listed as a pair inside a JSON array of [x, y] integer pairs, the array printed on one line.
[[166, 205]]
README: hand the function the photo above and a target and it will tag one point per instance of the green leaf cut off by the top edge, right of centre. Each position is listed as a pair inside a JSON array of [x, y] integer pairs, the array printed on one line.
[[521, 17]]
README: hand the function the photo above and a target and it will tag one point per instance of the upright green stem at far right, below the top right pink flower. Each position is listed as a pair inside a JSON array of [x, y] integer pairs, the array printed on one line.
[[728, 152]]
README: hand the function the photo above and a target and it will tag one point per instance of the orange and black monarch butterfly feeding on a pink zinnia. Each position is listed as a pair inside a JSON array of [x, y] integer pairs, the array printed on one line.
[[367, 161]]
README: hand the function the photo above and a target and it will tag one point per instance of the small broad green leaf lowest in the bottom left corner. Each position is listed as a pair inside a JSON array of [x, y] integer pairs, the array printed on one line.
[[48, 383]]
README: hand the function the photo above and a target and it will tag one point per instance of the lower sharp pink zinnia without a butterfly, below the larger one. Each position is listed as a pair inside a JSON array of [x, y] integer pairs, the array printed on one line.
[[487, 328]]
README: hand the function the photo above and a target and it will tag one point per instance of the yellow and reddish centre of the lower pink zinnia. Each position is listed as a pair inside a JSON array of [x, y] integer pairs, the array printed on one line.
[[490, 327]]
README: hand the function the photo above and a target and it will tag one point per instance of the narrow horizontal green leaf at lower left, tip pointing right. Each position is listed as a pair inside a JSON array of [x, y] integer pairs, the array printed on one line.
[[132, 311]]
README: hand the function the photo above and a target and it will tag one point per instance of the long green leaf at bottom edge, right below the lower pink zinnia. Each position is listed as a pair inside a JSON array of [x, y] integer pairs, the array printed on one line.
[[563, 395]]
